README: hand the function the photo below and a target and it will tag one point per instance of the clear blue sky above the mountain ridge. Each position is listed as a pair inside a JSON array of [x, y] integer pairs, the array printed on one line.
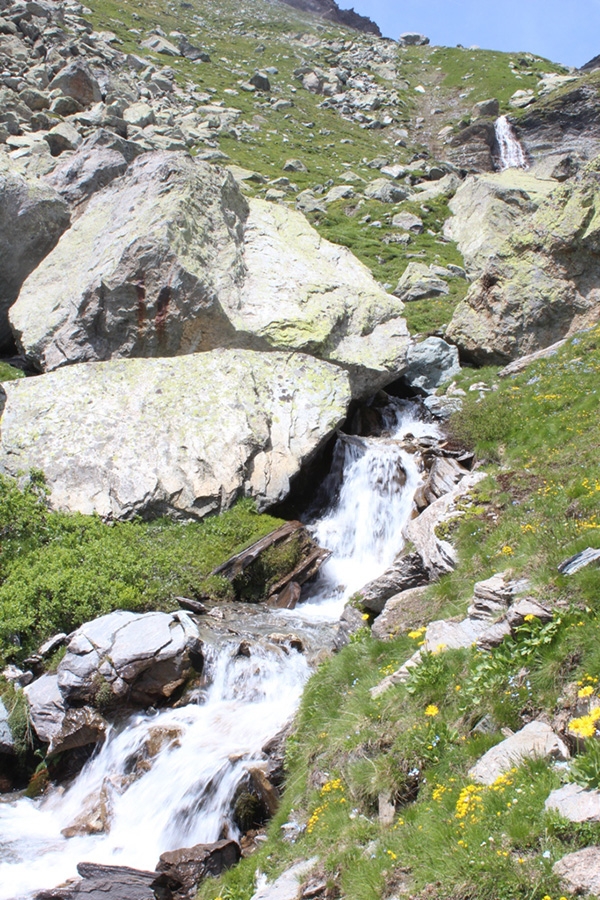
[[565, 31]]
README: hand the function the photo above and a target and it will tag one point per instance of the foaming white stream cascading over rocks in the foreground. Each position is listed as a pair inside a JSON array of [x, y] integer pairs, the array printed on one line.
[[166, 780]]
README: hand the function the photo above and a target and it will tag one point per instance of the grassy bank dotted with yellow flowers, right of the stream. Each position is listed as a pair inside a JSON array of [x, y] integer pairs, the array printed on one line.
[[539, 505]]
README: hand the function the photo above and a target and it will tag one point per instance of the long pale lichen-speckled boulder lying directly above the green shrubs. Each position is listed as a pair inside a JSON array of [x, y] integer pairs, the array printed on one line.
[[185, 436]]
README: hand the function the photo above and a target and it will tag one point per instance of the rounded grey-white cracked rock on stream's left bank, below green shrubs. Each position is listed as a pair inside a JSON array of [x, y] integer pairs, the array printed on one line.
[[131, 657]]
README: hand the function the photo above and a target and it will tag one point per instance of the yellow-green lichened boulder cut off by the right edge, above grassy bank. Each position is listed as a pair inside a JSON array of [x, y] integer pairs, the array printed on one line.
[[544, 282]]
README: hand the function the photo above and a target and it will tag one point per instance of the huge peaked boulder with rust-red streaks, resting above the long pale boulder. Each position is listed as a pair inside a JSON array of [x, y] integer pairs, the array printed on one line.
[[170, 259]]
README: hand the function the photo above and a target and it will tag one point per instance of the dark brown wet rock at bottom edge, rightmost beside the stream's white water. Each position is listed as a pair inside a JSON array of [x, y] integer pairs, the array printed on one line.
[[180, 871]]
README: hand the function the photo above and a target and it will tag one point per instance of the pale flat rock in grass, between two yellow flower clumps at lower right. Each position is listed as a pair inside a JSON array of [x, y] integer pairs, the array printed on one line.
[[534, 741]]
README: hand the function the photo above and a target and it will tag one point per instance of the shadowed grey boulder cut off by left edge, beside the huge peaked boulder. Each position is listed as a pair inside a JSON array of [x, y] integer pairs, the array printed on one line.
[[32, 219]]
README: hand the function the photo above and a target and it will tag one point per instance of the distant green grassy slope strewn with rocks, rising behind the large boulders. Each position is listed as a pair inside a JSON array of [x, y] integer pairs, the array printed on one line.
[[329, 145]]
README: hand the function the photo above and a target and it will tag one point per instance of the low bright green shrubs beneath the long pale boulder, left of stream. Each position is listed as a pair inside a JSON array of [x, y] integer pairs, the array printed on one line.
[[59, 570]]
